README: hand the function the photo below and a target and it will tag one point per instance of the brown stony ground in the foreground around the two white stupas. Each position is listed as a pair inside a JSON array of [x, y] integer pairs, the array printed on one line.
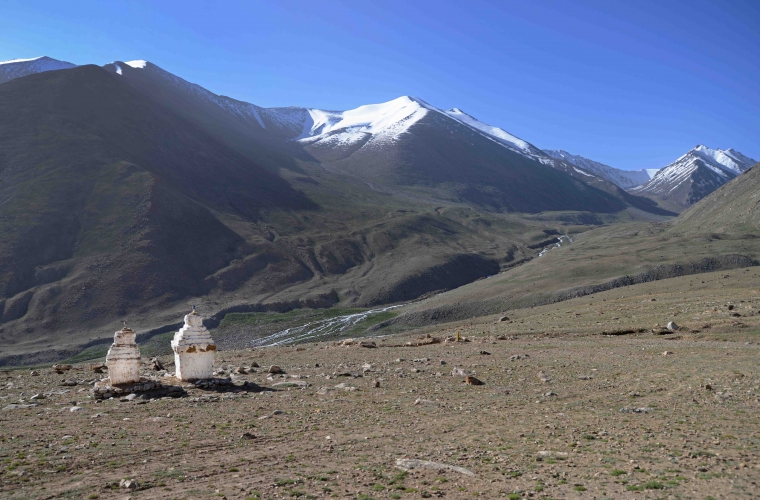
[[564, 411]]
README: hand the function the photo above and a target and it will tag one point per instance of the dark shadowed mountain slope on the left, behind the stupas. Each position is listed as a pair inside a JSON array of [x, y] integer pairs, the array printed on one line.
[[107, 196]]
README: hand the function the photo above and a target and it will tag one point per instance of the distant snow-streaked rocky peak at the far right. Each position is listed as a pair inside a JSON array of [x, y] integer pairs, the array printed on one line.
[[695, 175]]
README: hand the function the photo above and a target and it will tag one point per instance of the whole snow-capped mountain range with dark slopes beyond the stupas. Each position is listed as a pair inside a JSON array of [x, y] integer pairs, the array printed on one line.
[[127, 191]]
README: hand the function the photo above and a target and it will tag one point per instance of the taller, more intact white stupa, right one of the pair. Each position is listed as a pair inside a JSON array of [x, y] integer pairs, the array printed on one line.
[[193, 350]]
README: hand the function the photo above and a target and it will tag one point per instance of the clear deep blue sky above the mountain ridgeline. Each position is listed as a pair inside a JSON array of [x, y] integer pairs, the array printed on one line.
[[634, 84]]
